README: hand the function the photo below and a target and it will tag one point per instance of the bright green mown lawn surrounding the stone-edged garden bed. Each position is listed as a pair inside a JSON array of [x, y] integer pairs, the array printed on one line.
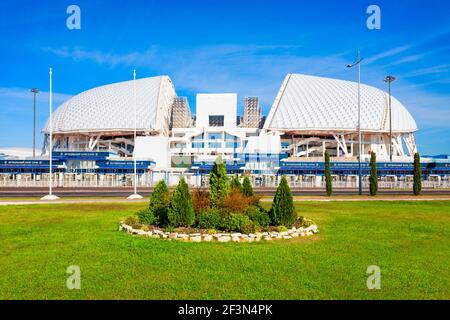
[[410, 241]]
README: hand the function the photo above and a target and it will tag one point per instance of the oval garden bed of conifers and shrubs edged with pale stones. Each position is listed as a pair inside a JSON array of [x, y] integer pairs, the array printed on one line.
[[232, 208]]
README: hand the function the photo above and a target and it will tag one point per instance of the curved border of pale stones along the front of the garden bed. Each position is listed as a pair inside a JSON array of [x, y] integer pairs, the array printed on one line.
[[222, 237]]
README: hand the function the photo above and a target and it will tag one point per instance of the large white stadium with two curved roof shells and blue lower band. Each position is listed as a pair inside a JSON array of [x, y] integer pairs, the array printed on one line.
[[94, 144]]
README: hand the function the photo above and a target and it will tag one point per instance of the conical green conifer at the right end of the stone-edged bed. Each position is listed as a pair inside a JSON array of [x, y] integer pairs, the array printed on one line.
[[283, 212]]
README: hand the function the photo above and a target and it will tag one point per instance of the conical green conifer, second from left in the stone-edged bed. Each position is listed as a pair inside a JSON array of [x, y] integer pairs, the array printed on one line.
[[181, 211]]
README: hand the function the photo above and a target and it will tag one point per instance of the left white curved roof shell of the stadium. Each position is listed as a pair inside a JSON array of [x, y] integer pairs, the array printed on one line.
[[110, 108]]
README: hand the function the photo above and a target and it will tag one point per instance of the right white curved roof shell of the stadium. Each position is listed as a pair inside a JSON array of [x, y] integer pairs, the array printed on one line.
[[316, 104]]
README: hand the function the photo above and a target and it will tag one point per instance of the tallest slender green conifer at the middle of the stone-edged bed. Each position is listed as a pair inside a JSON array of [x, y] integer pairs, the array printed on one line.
[[218, 183]]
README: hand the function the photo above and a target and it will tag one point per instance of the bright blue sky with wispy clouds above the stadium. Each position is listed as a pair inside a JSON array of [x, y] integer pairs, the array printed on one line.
[[223, 46]]
